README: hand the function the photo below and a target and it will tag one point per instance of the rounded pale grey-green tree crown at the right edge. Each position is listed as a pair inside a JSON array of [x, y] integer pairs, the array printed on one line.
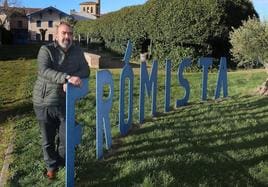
[[250, 43]]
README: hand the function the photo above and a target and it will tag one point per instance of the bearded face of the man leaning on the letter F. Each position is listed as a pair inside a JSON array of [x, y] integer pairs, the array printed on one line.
[[64, 36]]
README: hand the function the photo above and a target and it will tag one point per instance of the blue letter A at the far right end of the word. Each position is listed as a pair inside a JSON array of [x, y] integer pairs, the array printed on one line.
[[222, 79]]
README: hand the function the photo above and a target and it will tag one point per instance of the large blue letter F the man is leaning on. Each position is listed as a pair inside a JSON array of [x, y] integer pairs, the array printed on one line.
[[73, 130]]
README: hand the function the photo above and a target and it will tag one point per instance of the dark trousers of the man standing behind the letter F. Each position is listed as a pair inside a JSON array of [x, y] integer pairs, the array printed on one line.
[[52, 126]]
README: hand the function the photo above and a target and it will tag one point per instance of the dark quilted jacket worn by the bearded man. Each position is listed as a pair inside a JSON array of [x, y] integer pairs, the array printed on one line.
[[53, 67]]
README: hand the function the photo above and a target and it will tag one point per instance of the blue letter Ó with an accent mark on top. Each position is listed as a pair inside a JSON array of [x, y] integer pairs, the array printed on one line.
[[127, 73]]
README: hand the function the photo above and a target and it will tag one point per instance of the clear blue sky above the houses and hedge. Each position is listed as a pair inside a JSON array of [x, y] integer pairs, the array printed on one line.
[[261, 6]]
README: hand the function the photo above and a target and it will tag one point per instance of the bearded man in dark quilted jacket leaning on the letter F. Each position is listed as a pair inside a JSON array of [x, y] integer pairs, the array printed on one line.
[[58, 63]]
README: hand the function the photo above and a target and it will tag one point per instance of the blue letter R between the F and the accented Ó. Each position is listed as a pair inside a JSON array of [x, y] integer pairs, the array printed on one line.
[[102, 111]]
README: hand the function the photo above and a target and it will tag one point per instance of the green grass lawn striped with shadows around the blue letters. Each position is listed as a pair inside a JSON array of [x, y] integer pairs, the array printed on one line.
[[213, 143]]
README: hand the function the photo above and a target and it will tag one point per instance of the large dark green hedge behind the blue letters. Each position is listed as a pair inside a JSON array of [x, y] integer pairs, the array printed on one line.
[[175, 28]]
